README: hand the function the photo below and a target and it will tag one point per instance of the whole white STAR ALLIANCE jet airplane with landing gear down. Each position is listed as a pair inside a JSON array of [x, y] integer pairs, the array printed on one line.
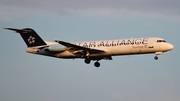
[[92, 50]]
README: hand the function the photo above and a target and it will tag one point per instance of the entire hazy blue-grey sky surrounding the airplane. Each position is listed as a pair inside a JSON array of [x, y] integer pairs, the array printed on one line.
[[27, 77]]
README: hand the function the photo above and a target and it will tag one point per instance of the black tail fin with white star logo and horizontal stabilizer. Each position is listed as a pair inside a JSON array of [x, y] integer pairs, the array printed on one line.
[[30, 37]]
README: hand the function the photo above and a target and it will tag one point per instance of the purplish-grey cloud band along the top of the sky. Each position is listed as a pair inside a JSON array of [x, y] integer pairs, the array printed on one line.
[[65, 7]]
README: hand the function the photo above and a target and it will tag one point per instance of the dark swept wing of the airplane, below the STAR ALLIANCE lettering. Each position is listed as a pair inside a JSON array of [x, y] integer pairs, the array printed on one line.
[[73, 47]]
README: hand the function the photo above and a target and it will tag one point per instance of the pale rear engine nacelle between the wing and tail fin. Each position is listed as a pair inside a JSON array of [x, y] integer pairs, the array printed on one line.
[[56, 48]]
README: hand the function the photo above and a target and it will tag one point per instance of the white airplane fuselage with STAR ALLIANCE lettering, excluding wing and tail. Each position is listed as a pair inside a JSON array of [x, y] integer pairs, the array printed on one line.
[[112, 47]]
